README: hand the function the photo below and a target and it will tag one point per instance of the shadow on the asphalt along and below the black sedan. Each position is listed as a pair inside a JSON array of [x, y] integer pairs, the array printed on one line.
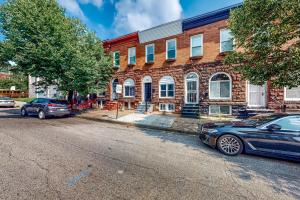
[[284, 176]]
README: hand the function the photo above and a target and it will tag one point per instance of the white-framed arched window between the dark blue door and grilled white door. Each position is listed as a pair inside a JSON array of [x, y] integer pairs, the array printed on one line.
[[166, 87]]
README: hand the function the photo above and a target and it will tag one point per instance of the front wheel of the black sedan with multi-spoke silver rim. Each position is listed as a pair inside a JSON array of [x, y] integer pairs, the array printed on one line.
[[230, 145]]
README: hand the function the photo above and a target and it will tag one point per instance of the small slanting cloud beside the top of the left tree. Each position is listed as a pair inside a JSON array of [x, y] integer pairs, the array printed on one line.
[[73, 8]]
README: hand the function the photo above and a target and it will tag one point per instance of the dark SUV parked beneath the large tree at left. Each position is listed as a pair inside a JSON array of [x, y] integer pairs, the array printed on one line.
[[44, 107]]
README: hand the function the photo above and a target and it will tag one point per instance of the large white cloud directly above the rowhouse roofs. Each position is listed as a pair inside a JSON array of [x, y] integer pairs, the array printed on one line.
[[133, 15]]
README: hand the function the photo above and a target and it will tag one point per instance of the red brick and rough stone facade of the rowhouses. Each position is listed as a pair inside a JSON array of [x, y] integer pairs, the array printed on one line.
[[205, 66]]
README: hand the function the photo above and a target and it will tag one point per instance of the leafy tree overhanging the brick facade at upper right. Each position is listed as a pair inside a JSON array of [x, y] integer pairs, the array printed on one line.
[[267, 36]]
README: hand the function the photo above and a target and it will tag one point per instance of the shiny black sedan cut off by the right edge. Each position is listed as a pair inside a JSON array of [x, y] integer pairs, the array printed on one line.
[[275, 135]]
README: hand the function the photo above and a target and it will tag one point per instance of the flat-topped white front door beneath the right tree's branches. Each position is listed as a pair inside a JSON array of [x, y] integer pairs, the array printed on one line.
[[256, 96]]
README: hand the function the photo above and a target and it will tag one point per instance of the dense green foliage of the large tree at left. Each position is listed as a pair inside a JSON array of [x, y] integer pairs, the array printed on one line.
[[45, 43]]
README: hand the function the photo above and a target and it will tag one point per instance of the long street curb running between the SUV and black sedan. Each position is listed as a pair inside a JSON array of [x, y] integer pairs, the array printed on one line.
[[137, 125]]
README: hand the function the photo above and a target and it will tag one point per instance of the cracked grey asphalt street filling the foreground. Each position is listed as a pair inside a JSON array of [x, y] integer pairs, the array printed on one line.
[[71, 158]]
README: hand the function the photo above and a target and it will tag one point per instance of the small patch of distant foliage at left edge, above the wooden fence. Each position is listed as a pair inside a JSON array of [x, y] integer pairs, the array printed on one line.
[[20, 81]]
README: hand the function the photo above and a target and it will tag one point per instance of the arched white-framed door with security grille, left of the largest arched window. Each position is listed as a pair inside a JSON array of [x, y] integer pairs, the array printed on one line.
[[191, 88]]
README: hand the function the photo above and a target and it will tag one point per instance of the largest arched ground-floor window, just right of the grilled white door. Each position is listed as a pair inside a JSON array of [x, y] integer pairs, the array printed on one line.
[[220, 86]]
